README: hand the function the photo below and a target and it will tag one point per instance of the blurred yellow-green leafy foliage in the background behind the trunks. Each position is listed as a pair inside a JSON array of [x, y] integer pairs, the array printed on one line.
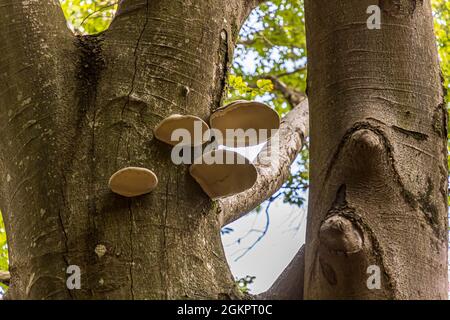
[[269, 66]]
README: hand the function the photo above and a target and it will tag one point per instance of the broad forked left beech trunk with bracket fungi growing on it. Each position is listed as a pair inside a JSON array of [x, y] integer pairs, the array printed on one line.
[[75, 110]]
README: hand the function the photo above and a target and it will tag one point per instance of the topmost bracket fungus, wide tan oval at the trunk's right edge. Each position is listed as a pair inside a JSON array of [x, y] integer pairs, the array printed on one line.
[[251, 123]]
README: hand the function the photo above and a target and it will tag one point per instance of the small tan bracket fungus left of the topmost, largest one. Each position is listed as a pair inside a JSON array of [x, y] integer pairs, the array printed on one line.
[[196, 131]]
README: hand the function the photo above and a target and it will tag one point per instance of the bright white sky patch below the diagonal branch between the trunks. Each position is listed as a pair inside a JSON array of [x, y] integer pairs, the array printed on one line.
[[272, 254]]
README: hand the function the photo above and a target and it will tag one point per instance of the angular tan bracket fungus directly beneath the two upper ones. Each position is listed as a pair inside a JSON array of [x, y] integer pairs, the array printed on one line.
[[224, 173]]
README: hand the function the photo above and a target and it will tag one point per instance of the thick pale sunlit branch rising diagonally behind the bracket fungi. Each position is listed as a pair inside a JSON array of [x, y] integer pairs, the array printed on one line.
[[273, 165]]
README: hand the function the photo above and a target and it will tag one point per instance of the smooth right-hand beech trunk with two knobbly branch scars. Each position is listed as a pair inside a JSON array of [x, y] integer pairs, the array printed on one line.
[[378, 192]]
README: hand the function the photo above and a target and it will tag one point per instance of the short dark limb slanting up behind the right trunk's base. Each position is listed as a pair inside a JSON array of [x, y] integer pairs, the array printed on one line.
[[289, 285]]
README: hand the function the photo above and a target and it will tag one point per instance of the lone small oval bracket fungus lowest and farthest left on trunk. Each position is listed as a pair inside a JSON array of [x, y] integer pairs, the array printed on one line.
[[133, 181]]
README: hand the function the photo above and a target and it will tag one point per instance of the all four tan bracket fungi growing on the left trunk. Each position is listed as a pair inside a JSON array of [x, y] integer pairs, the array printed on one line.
[[216, 179]]
